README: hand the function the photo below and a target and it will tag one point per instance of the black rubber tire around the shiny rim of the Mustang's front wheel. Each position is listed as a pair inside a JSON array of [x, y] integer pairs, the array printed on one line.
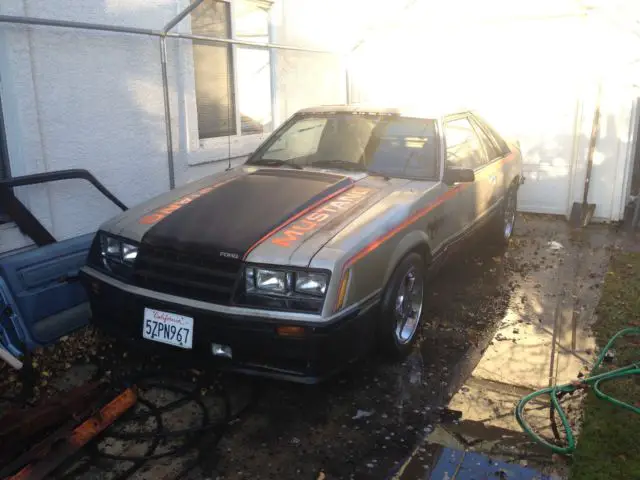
[[393, 345]]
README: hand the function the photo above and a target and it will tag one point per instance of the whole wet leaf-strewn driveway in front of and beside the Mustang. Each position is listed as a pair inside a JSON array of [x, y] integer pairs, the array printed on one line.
[[487, 339]]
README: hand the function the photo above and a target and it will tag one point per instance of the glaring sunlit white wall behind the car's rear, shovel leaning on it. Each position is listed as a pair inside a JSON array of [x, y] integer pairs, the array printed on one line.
[[531, 68]]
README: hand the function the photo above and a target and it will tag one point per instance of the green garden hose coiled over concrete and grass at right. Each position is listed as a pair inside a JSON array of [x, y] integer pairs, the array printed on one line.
[[594, 381]]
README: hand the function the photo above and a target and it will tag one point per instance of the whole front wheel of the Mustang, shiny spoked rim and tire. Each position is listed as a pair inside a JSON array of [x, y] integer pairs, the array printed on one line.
[[402, 307]]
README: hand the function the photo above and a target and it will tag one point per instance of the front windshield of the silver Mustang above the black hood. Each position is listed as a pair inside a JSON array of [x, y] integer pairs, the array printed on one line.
[[381, 144]]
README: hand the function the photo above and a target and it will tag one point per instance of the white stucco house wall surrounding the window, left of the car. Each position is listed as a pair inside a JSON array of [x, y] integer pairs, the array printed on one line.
[[94, 100]]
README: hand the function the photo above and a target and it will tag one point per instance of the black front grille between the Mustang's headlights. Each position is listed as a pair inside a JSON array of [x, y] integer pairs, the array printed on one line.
[[207, 278]]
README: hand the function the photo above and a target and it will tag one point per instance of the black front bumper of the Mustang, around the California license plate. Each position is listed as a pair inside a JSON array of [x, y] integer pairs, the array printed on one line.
[[256, 346]]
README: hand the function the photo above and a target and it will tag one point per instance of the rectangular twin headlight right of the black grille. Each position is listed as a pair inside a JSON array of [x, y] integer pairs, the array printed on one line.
[[283, 282]]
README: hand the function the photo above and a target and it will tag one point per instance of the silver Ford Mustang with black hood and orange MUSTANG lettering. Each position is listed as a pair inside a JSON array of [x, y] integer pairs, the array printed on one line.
[[317, 248]]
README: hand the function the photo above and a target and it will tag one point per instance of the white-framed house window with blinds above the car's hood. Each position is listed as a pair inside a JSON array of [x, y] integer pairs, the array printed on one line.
[[233, 83]]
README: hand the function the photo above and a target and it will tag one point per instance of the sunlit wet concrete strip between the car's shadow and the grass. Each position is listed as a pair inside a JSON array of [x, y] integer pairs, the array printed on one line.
[[543, 338]]
